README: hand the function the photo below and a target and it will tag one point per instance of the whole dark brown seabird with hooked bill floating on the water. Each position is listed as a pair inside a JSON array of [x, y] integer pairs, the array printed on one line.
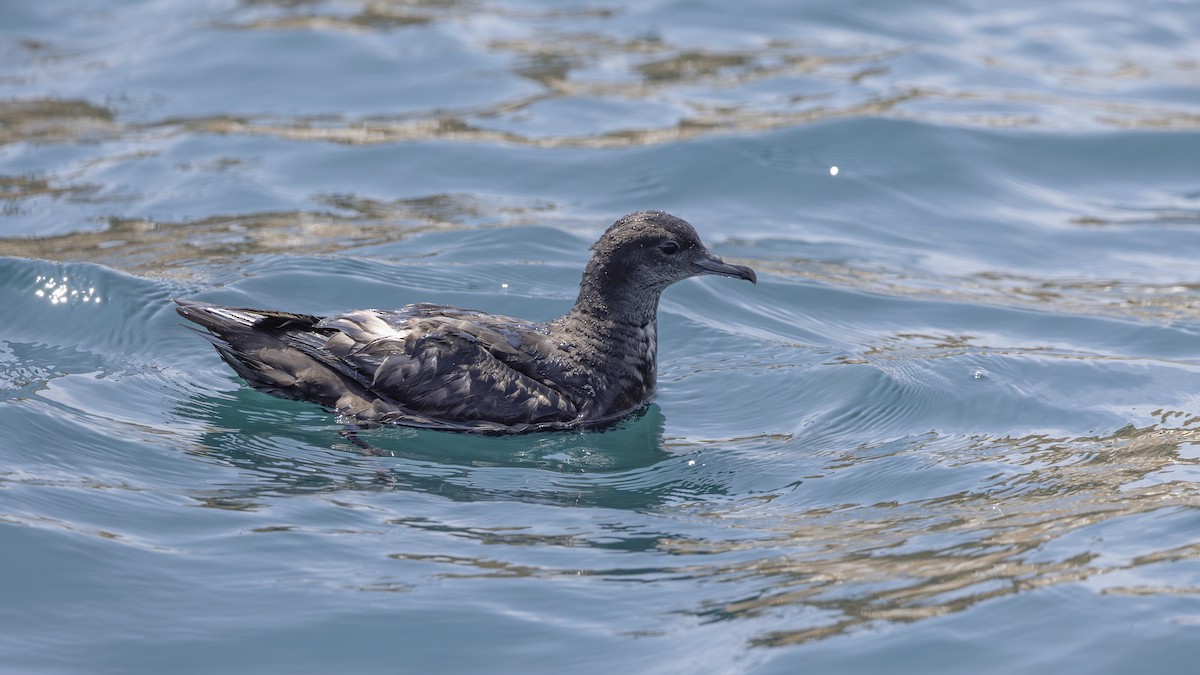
[[447, 368]]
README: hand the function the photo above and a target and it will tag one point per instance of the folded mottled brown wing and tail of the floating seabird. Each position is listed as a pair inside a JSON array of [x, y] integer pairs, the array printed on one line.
[[425, 365]]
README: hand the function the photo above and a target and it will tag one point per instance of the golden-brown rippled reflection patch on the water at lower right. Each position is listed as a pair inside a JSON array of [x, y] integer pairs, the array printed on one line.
[[910, 561]]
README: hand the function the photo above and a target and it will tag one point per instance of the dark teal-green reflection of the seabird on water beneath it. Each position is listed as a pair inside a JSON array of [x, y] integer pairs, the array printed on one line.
[[287, 449]]
